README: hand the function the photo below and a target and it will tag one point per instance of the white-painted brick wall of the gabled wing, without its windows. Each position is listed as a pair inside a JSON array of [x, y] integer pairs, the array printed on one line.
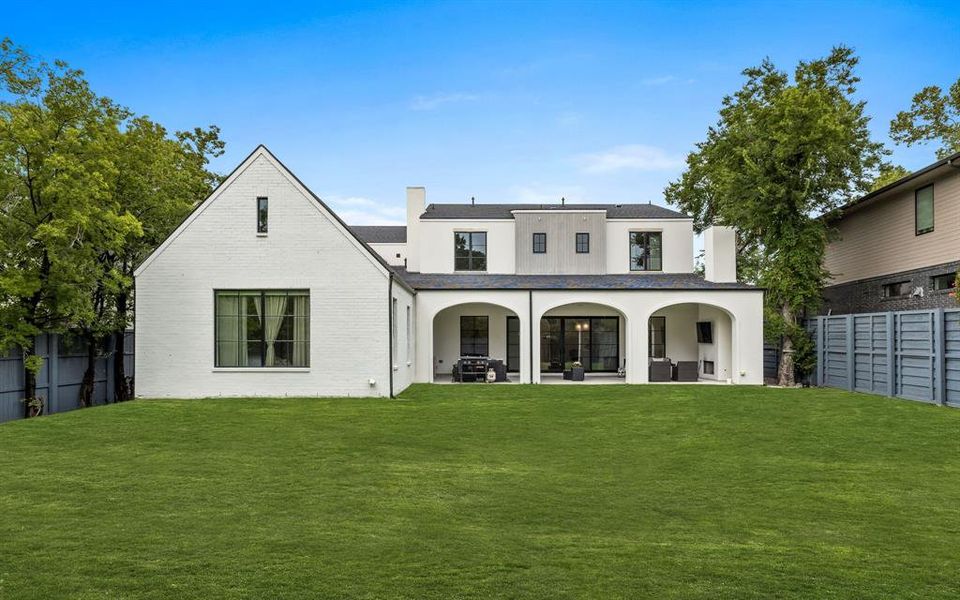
[[305, 248]]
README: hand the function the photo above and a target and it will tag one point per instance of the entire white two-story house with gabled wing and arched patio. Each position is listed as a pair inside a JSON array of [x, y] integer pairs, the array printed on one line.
[[264, 291]]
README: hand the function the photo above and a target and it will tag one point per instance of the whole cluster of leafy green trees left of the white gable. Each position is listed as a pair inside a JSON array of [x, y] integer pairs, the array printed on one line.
[[87, 189]]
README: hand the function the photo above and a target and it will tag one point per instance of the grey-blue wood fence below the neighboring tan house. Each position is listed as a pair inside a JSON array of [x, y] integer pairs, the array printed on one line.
[[911, 354]]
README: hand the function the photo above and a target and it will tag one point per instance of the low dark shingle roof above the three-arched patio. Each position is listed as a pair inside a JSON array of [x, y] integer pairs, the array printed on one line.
[[646, 281]]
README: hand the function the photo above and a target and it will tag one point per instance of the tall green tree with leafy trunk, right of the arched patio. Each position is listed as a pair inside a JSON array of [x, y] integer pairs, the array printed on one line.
[[783, 152]]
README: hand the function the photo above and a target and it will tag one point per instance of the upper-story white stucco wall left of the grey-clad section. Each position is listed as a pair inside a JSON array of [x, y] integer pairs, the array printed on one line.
[[436, 244]]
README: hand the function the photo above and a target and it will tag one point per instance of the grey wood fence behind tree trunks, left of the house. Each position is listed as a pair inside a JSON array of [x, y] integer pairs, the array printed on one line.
[[59, 381]]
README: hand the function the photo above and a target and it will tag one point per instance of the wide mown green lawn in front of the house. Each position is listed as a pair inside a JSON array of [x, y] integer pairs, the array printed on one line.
[[479, 491]]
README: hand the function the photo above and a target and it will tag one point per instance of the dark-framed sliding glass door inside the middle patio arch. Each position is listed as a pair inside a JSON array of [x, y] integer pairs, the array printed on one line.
[[593, 341]]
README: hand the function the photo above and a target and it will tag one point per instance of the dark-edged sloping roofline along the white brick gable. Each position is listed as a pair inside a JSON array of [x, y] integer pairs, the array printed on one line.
[[263, 151]]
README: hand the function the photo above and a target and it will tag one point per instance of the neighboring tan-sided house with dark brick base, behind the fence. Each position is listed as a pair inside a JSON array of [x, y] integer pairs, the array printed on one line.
[[898, 248]]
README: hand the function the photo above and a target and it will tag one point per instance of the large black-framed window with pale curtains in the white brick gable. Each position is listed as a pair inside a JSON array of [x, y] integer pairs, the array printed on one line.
[[262, 328]]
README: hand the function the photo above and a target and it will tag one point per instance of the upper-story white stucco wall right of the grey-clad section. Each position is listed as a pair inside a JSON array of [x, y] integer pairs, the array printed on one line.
[[677, 243]]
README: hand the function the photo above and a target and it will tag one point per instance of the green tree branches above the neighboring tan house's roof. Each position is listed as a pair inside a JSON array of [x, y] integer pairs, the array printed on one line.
[[934, 116]]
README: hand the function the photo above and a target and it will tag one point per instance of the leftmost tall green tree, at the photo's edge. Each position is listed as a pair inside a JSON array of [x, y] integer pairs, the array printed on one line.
[[55, 209]]
